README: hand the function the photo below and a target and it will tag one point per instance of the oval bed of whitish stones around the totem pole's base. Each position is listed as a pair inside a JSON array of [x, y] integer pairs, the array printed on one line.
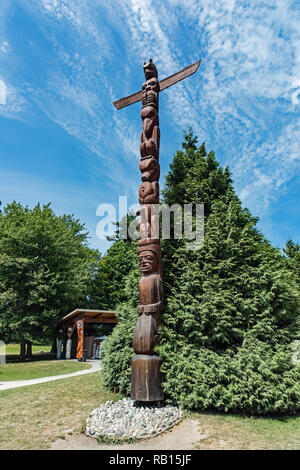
[[125, 419]]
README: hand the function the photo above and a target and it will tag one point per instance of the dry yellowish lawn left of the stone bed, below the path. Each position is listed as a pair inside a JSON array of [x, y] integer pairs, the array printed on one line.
[[33, 417]]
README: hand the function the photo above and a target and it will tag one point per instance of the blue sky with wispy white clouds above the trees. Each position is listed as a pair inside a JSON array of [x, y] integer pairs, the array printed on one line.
[[62, 63]]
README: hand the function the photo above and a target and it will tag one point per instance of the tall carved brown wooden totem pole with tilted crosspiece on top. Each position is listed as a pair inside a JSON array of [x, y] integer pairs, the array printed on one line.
[[145, 375]]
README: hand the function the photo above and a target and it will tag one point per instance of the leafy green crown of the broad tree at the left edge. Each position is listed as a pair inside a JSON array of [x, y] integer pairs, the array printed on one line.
[[44, 269]]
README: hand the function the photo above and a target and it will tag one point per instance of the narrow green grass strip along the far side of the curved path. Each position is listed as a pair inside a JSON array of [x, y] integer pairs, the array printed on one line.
[[35, 370]]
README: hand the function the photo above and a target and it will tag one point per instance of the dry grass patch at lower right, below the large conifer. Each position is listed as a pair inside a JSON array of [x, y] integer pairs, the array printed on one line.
[[220, 431]]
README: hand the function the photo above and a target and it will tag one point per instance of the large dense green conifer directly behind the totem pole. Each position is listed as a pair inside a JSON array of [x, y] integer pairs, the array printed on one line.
[[231, 307]]
